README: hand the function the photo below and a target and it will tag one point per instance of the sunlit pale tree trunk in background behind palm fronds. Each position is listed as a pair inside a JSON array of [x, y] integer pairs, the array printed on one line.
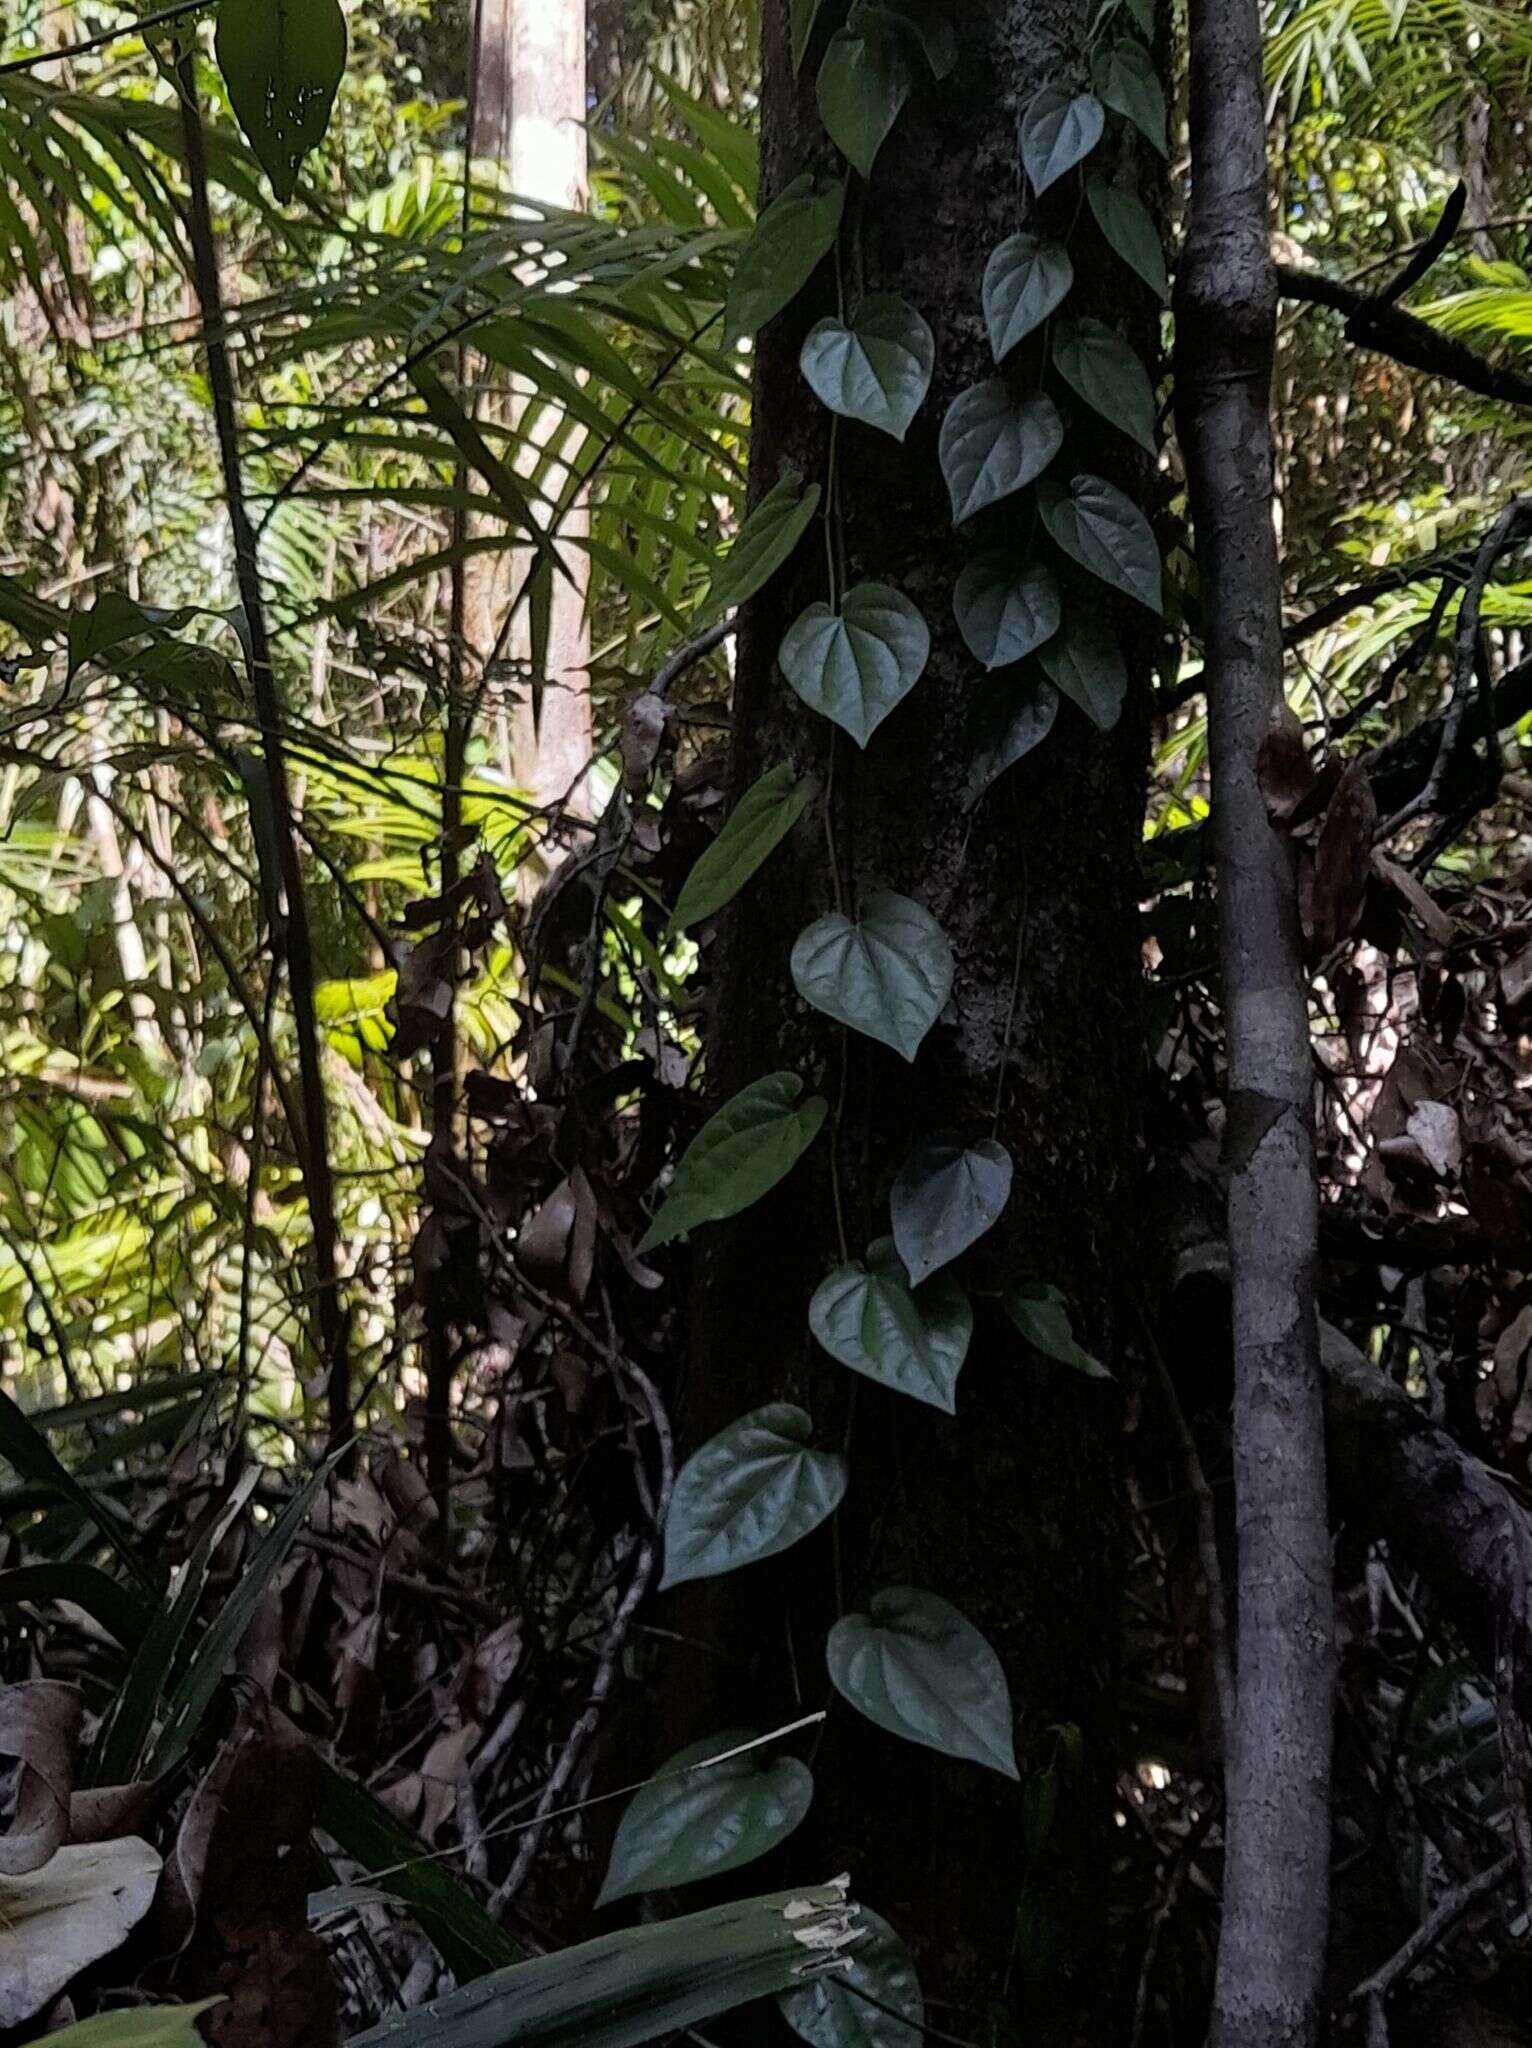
[[529, 110]]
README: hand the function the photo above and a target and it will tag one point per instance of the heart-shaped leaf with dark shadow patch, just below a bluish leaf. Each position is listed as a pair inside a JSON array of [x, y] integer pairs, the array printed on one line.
[[871, 1320]]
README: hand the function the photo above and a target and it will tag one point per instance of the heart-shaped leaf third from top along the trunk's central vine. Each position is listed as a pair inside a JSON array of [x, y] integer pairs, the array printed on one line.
[[857, 665]]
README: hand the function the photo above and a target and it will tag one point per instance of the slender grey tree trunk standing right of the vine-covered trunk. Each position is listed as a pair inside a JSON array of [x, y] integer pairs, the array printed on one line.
[[1277, 1871]]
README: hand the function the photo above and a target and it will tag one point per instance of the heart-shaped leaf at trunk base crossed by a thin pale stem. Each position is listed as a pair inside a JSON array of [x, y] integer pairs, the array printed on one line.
[[697, 1822]]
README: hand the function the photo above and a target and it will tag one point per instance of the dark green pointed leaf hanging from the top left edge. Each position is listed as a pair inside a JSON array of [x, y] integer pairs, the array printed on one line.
[[284, 62]]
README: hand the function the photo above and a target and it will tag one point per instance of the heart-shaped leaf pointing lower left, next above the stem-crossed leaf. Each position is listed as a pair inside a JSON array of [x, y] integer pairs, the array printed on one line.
[[751, 1492]]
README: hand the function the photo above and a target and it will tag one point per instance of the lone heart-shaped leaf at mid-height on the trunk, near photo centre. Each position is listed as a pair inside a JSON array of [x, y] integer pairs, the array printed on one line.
[[886, 974]]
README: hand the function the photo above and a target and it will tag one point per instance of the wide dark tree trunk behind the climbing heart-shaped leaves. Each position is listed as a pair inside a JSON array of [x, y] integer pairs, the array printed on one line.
[[1013, 1510]]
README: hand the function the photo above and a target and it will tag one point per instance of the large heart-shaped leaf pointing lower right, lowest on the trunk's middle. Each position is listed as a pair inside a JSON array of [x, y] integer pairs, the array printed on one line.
[[917, 1668]]
